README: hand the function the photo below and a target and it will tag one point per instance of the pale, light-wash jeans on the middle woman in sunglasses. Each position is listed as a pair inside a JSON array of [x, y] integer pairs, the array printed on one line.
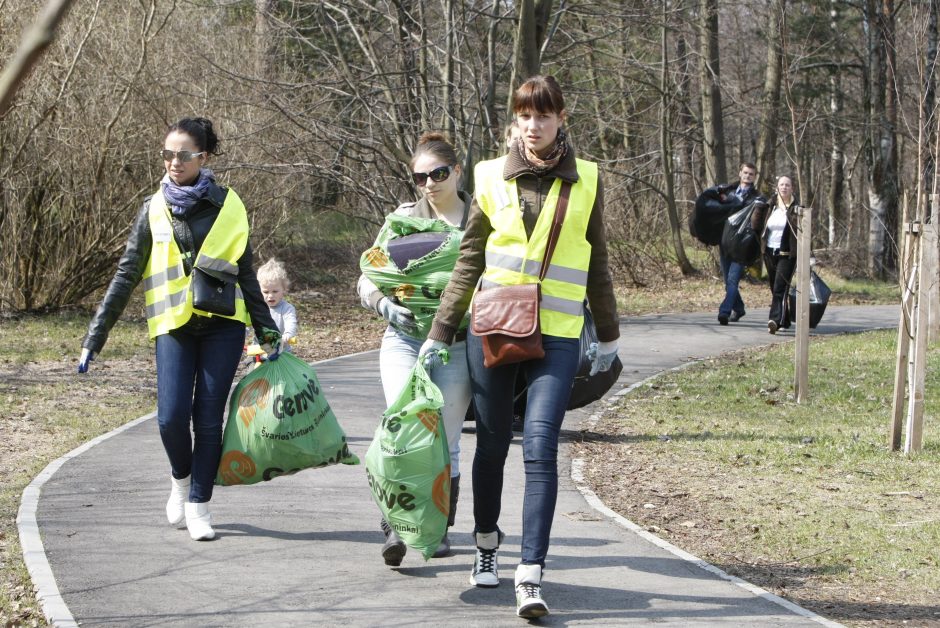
[[396, 359]]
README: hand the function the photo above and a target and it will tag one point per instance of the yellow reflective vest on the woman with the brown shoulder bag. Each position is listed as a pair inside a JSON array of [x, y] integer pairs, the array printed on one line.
[[512, 258]]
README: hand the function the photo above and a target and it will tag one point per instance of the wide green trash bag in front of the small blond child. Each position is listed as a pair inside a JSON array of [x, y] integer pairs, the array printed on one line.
[[279, 423]]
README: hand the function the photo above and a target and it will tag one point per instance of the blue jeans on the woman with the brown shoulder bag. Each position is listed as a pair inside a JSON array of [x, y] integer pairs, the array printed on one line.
[[549, 387]]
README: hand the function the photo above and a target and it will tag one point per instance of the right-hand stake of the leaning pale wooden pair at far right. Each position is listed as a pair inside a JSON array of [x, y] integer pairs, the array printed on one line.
[[915, 407]]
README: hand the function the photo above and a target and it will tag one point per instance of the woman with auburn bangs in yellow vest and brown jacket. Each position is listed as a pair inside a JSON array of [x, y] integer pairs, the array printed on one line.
[[513, 207]]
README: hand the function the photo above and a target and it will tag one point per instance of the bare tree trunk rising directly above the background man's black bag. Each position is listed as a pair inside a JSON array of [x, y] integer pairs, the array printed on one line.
[[712, 124]]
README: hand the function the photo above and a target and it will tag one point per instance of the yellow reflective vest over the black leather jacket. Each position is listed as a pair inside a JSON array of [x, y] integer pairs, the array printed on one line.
[[167, 287]]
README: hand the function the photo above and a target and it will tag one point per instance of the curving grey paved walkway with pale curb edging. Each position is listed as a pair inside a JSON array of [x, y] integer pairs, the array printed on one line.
[[304, 550]]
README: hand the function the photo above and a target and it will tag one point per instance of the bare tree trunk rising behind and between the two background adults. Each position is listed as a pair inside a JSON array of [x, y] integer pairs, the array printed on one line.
[[770, 100]]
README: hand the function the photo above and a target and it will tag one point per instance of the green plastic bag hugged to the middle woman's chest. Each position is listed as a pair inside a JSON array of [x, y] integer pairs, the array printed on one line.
[[426, 250]]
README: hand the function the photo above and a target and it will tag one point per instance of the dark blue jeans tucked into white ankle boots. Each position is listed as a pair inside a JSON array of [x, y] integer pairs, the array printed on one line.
[[195, 368]]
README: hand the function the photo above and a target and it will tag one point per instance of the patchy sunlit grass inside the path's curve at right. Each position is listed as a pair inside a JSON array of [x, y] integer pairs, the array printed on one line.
[[780, 486]]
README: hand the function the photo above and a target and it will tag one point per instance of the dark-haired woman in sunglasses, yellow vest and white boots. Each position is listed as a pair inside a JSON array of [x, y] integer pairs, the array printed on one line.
[[191, 234]]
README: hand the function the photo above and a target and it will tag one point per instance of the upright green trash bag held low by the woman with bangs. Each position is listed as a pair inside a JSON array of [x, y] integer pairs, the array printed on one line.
[[408, 465]]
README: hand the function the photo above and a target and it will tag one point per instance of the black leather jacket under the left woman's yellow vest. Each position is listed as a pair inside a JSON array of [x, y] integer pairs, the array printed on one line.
[[133, 263]]
